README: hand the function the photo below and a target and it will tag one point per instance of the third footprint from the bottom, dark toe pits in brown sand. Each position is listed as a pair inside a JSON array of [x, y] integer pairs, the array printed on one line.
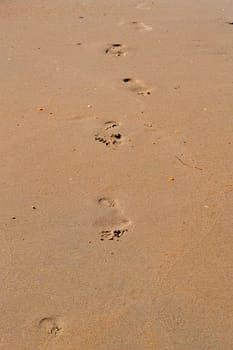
[[110, 135]]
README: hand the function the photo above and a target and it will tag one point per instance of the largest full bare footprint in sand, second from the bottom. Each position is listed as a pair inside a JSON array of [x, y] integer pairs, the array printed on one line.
[[112, 219]]
